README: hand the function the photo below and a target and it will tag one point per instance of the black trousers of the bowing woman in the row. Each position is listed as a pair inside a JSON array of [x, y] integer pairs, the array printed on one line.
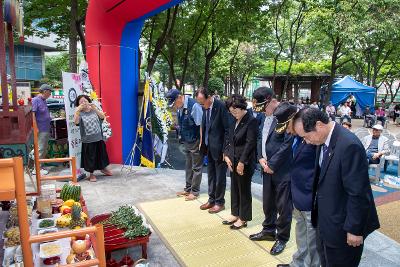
[[241, 200]]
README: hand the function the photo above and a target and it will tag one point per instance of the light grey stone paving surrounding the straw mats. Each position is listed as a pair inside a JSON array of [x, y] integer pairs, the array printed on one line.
[[146, 185]]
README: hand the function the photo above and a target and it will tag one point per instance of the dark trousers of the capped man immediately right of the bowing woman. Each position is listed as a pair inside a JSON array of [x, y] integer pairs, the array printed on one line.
[[277, 198]]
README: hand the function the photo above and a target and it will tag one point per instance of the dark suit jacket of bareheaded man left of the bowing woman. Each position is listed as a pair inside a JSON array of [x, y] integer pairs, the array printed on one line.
[[219, 129]]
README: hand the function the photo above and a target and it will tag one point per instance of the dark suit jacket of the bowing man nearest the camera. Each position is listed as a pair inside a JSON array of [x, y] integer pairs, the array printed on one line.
[[343, 201]]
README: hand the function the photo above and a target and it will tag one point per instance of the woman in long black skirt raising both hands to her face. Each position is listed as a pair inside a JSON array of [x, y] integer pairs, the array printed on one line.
[[94, 154]]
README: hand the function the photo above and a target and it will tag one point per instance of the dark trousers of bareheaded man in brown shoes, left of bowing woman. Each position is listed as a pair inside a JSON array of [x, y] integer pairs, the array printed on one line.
[[216, 171]]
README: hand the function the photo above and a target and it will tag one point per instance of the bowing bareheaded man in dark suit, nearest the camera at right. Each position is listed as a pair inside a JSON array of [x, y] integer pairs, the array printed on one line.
[[343, 205]]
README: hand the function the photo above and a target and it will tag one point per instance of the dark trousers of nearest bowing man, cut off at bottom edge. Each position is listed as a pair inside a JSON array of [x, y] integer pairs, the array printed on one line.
[[345, 256]]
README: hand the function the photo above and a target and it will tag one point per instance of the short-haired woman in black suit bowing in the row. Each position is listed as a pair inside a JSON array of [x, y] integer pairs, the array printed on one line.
[[240, 157]]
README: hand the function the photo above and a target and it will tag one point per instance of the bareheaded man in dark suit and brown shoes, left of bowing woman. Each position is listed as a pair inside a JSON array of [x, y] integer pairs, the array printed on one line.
[[215, 131]]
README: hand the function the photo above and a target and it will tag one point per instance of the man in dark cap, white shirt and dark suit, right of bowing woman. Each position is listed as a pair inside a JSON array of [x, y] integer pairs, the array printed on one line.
[[274, 153]]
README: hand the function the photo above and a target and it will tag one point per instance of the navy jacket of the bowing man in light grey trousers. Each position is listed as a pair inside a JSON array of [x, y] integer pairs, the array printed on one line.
[[302, 174]]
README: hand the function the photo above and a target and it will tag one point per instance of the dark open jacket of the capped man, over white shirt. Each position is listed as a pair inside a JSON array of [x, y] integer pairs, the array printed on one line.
[[278, 149]]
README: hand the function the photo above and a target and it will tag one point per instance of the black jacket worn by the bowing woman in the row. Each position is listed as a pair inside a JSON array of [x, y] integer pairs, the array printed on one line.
[[242, 141]]
